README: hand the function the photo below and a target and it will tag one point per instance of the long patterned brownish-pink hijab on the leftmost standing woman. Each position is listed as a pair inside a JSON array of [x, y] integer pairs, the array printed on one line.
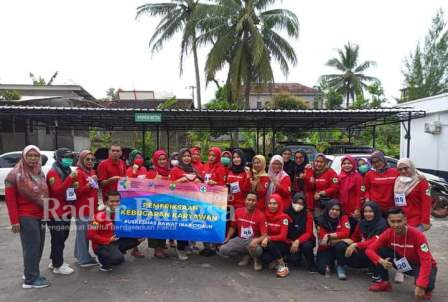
[[29, 181]]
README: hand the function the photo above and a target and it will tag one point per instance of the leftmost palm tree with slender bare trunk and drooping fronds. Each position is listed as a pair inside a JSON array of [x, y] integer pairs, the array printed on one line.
[[177, 16]]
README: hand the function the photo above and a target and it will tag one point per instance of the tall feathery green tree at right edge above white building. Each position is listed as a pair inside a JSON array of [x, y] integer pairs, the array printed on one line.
[[426, 70]]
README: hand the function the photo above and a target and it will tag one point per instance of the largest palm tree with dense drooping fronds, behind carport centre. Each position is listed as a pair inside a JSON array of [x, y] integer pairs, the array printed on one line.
[[244, 36]]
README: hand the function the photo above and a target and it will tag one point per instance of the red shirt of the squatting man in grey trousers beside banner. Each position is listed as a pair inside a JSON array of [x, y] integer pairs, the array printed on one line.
[[249, 225]]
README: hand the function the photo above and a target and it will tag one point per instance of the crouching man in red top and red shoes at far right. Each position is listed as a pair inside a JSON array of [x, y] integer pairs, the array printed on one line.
[[407, 249]]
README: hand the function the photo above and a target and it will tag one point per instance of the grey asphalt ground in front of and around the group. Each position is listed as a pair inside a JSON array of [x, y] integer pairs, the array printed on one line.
[[198, 279]]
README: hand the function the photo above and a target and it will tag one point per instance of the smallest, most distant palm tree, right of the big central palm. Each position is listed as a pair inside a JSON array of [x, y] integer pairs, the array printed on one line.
[[352, 80]]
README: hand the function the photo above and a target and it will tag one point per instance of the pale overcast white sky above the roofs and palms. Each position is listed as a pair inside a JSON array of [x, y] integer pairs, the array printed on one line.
[[99, 44]]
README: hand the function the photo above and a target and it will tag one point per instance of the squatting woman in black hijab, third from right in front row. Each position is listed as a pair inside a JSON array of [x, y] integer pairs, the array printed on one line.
[[332, 228]]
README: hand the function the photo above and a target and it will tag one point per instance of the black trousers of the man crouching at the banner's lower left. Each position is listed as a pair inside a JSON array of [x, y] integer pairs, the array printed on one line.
[[112, 254]]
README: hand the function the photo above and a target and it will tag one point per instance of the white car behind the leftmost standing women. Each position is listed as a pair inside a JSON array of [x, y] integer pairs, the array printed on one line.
[[10, 159]]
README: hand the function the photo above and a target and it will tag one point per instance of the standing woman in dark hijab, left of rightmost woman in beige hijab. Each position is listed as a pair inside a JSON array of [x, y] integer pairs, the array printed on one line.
[[380, 181]]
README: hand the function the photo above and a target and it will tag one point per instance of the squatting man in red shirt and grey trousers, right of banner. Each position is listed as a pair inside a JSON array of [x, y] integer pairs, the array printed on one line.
[[249, 226]]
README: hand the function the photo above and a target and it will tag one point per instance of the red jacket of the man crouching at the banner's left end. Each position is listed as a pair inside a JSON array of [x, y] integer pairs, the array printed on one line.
[[100, 229]]
